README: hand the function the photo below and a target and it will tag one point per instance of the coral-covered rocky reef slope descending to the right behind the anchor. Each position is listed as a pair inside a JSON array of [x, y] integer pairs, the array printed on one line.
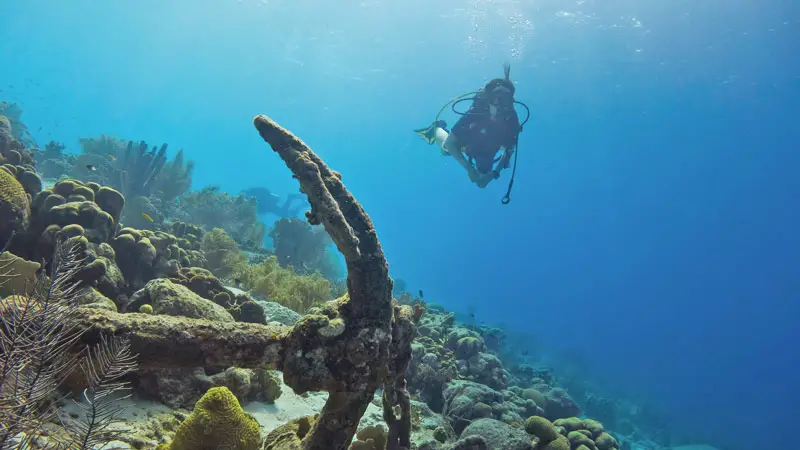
[[163, 264]]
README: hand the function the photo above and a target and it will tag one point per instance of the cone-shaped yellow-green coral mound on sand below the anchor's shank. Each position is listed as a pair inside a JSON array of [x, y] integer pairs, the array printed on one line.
[[217, 422]]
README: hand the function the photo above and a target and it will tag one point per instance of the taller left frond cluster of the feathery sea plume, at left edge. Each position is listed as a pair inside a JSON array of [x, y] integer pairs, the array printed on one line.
[[37, 333]]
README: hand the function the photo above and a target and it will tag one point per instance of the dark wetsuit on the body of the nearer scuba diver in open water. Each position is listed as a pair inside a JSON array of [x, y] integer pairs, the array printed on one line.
[[480, 136]]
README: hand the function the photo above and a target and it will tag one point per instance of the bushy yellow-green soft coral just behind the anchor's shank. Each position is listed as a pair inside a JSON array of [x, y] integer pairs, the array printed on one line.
[[284, 285]]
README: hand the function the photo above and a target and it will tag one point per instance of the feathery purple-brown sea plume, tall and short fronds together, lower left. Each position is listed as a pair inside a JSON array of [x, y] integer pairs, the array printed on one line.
[[37, 336]]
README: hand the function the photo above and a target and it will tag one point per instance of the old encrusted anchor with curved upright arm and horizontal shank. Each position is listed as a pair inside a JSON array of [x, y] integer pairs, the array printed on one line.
[[354, 346]]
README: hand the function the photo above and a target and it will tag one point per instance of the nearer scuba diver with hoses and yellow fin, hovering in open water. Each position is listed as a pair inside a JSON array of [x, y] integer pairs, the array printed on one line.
[[490, 124]]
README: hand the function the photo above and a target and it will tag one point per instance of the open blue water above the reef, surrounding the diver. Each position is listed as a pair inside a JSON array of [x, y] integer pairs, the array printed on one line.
[[654, 221]]
